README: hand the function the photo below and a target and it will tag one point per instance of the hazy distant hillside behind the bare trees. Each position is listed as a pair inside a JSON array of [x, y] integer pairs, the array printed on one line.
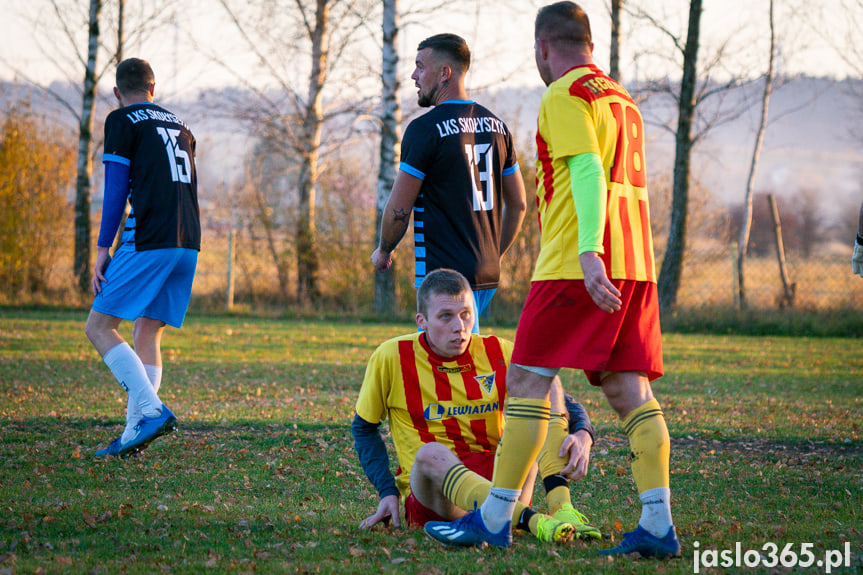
[[813, 141]]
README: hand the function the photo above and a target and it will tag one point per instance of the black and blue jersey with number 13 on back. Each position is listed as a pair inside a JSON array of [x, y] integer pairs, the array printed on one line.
[[460, 151]]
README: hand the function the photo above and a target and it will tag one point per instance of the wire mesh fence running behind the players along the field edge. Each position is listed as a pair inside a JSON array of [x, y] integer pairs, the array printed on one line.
[[709, 277]]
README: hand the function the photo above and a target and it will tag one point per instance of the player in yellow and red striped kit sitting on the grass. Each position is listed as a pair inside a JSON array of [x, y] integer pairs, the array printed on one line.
[[442, 390]]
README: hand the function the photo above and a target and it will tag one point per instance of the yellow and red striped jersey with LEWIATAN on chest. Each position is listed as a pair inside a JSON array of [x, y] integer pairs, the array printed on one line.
[[455, 401]]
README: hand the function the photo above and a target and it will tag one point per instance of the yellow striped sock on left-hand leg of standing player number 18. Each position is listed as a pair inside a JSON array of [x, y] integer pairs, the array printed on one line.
[[522, 438]]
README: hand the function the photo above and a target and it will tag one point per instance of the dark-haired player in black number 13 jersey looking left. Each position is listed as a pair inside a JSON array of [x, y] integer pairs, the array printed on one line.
[[458, 176]]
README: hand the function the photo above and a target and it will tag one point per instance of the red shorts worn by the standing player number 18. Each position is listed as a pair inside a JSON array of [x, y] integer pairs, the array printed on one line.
[[560, 326]]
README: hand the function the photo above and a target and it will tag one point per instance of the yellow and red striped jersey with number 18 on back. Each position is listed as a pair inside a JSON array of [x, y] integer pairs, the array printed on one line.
[[585, 111]]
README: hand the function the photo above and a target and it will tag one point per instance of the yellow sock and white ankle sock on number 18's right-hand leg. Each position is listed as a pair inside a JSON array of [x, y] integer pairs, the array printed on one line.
[[650, 448]]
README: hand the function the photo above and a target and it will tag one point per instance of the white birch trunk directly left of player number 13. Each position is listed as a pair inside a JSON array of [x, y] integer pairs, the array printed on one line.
[[391, 119]]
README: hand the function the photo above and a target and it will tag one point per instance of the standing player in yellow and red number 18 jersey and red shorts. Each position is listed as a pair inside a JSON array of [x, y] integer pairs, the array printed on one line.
[[592, 303]]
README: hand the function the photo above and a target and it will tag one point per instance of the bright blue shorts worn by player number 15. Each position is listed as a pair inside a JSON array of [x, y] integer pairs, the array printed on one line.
[[155, 284]]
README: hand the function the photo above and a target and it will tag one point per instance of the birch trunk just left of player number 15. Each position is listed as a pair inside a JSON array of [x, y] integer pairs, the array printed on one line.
[[81, 259]]
